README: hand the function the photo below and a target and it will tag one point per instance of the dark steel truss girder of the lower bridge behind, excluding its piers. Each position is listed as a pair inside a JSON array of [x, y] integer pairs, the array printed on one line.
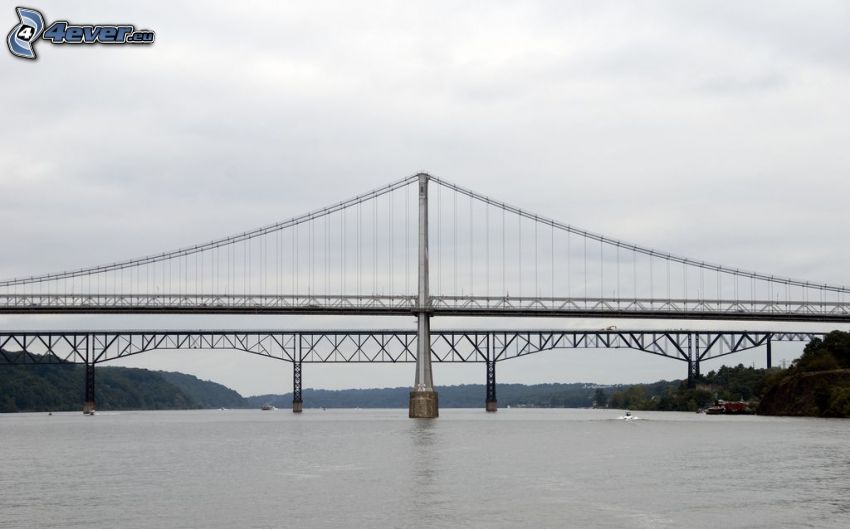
[[383, 346]]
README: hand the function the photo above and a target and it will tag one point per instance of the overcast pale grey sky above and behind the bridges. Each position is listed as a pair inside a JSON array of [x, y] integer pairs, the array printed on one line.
[[713, 130]]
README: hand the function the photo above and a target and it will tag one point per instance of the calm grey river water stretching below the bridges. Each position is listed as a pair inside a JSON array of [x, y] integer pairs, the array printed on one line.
[[376, 469]]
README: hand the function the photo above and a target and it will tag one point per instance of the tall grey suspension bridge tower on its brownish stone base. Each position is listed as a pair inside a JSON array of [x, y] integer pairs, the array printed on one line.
[[423, 398]]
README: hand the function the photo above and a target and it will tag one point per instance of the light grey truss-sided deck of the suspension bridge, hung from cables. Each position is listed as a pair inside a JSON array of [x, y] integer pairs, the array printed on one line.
[[833, 311]]
